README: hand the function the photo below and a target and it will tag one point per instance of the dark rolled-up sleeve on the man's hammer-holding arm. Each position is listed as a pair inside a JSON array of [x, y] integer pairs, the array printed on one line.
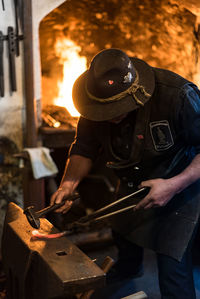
[[86, 142]]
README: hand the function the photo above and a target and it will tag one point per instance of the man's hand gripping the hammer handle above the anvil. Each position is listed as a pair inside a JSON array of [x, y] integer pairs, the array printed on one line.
[[61, 194]]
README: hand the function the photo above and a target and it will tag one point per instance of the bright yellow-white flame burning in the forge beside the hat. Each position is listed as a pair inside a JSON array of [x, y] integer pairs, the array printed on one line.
[[73, 66]]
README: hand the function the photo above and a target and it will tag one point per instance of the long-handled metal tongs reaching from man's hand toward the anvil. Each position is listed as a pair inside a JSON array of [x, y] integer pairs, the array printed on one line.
[[94, 215]]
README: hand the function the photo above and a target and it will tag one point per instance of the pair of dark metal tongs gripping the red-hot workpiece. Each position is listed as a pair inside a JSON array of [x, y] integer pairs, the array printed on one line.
[[97, 215]]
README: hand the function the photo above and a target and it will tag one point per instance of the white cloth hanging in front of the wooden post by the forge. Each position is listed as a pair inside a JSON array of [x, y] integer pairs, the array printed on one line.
[[41, 162]]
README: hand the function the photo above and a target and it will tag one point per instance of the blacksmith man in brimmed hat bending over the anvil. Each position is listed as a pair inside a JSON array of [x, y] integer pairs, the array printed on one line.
[[146, 121]]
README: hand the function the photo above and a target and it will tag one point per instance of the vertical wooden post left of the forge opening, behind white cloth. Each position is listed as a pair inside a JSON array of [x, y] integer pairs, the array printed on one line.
[[33, 189]]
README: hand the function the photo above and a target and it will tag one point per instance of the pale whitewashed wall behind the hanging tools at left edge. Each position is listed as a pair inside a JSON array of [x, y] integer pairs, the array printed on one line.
[[12, 104]]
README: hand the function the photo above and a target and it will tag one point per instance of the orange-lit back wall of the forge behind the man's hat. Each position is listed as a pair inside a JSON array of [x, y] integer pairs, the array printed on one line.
[[163, 33]]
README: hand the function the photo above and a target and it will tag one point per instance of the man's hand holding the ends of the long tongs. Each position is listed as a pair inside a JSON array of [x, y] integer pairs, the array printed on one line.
[[161, 192]]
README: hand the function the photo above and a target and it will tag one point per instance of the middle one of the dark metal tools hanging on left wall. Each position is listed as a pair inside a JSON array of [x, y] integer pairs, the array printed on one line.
[[11, 51]]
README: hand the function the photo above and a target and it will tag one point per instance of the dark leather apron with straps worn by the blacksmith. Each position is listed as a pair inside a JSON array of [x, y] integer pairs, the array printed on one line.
[[165, 230]]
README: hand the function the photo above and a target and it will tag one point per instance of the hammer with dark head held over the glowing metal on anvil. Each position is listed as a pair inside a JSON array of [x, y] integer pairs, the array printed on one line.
[[33, 217]]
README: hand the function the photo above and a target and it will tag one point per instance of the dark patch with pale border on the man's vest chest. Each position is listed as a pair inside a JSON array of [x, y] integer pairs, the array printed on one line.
[[161, 135]]
